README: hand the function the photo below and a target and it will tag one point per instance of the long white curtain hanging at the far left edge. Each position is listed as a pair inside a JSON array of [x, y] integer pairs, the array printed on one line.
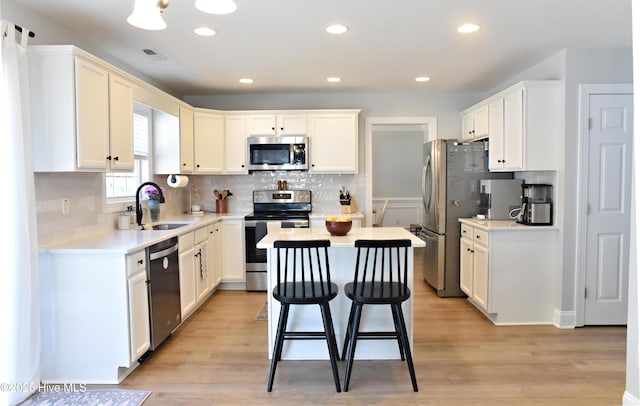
[[19, 284]]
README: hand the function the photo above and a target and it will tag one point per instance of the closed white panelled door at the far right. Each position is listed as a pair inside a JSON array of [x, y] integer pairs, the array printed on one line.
[[609, 213]]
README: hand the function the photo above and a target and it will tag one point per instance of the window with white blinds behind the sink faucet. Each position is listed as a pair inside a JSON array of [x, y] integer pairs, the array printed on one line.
[[120, 187]]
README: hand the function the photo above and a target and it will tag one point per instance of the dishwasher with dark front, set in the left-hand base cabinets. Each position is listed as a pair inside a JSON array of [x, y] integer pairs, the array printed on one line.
[[163, 283]]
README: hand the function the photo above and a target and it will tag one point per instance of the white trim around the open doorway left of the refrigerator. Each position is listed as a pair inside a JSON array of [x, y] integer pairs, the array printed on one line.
[[430, 121]]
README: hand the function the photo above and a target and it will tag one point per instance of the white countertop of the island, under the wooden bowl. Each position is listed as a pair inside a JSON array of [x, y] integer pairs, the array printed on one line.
[[356, 233]]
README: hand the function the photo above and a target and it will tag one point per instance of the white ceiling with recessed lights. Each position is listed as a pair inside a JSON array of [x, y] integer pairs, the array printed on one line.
[[283, 46]]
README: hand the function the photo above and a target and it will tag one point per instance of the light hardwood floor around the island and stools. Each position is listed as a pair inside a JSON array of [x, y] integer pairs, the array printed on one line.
[[219, 357]]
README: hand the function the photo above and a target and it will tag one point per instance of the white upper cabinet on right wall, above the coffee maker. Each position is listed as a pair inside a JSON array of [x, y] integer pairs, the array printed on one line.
[[529, 134]]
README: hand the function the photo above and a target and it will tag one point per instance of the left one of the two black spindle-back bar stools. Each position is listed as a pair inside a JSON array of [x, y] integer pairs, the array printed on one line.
[[304, 279]]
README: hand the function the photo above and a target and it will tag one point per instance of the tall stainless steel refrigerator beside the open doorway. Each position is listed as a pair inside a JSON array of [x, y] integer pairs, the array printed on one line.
[[450, 190]]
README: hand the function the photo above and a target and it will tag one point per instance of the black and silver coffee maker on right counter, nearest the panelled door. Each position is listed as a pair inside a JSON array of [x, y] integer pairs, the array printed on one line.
[[537, 206]]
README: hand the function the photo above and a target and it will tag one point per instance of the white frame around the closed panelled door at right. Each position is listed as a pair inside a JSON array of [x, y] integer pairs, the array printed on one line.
[[586, 91]]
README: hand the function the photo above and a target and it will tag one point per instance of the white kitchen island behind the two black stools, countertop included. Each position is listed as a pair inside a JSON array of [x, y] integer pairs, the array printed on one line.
[[342, 256]]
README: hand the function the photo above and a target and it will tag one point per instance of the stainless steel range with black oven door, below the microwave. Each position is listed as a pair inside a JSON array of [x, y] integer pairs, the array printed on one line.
[[288, 208]]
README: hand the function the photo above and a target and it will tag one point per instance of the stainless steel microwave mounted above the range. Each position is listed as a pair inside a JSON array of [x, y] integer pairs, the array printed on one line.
[[278, 153]]
